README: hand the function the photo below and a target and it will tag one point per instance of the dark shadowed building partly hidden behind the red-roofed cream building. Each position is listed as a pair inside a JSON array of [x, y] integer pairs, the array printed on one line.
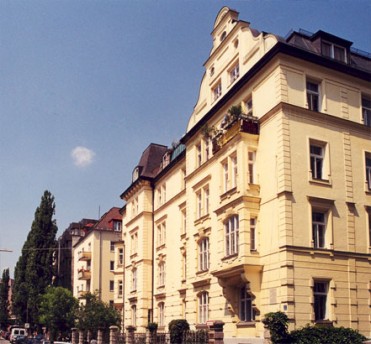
[[65, 268]]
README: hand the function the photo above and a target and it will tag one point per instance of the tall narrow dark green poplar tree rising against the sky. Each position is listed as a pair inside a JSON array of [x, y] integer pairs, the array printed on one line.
[[34, 269]]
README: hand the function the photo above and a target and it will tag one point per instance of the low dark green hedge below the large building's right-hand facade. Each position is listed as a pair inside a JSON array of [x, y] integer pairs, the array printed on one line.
[[326, 335]]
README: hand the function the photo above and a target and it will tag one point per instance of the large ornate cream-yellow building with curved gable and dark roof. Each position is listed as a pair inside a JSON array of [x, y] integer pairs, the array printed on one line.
[[263, 209]]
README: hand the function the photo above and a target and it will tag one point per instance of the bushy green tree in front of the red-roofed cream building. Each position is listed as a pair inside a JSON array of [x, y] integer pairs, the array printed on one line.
[[95, 314]]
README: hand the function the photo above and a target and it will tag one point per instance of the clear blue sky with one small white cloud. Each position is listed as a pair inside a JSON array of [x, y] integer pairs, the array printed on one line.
[[85, 86]]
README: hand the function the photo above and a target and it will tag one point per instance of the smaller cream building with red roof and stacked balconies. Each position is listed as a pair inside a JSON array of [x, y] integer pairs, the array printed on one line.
[[94, 258]]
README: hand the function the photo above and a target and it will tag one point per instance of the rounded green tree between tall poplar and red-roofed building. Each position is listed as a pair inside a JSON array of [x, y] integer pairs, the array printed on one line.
[[57, 311]]
